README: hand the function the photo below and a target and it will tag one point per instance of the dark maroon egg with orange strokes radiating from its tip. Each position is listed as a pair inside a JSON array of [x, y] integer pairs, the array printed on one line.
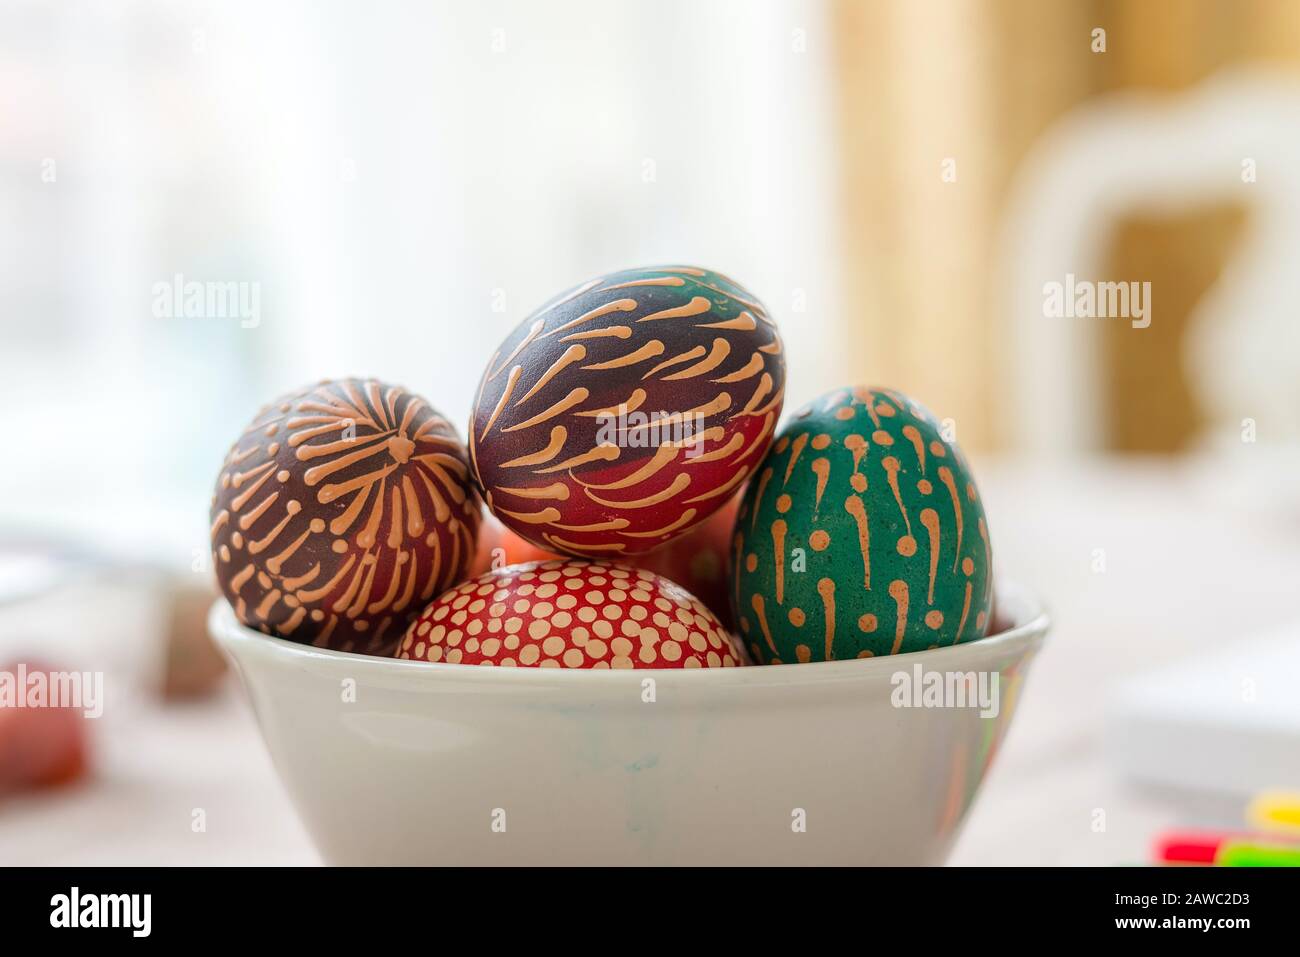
[[340, 513]]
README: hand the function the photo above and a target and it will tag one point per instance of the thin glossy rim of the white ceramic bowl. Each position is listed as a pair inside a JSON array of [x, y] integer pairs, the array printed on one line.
[[1030, 626]]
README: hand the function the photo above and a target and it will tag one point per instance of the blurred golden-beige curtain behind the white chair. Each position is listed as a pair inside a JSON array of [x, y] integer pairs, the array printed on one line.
[[938, 105]]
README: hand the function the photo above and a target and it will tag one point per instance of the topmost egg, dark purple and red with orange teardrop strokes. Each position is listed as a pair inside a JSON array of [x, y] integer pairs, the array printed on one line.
[[627, 410]]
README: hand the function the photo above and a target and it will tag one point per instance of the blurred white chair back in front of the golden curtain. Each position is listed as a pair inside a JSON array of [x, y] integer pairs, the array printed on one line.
[[1232, 142]]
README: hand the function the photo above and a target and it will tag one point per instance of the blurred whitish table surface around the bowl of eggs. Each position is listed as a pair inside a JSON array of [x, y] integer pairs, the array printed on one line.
[[1141, 564]]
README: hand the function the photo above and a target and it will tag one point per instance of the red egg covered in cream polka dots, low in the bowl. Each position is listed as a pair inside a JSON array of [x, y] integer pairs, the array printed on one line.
[[570, 614]]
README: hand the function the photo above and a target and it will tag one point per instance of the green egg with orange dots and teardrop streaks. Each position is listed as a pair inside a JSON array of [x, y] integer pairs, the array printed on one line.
[[861, 535]]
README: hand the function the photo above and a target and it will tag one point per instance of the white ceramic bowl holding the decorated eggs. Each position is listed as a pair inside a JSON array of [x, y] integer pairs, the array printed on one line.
[[398, 763]]
